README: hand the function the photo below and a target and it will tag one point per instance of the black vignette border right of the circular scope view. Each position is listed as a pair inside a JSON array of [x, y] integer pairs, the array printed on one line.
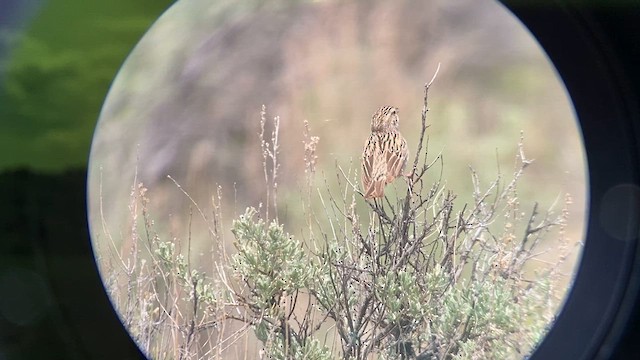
[[595, 46]]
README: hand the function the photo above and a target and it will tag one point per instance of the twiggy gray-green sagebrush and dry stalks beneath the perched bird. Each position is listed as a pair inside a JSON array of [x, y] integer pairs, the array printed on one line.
[[415, 275]]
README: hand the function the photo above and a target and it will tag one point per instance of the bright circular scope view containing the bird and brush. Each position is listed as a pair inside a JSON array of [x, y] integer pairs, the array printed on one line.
[[329, 179]]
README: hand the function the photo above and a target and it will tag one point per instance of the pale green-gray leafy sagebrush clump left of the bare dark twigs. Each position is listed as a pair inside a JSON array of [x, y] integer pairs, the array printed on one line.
[[273, 266]]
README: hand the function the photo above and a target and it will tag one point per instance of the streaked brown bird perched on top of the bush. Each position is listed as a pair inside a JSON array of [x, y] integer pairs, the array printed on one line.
[[385, 153]]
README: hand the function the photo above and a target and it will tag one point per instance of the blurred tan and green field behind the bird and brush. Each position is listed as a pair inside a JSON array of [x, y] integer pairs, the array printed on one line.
[[187, 104]]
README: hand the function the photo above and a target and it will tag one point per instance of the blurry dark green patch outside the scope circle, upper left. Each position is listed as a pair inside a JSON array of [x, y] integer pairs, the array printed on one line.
[[58, 76]]
